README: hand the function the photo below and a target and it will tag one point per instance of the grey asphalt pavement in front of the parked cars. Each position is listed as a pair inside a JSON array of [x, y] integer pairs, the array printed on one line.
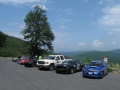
[[17, 77]]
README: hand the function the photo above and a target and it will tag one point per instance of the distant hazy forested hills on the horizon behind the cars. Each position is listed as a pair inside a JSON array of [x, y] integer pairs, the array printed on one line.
[[113, 55]]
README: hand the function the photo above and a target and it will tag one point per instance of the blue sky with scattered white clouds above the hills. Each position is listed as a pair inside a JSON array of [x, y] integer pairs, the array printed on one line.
[[77, 24]]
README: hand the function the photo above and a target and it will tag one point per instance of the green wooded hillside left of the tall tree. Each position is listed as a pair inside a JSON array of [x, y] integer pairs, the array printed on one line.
[[13, 47]]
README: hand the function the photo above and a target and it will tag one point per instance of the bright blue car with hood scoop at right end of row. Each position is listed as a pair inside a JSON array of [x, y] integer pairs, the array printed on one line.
[[96, 69]]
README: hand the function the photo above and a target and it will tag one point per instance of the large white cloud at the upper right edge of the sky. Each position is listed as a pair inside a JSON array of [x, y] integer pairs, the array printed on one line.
[[111, 18]]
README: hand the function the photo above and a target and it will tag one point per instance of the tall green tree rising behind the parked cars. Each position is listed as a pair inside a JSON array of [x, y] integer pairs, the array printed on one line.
[[38, 32]]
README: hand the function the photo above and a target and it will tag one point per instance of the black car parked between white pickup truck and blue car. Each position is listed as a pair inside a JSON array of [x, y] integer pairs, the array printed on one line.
[[69, 66]]
